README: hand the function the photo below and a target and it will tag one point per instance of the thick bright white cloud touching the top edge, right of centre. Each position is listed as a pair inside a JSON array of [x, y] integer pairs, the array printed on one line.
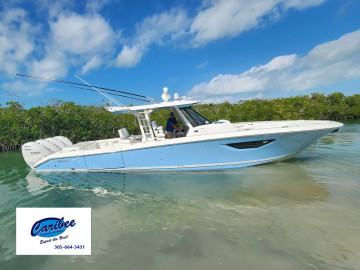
[[229, 18]]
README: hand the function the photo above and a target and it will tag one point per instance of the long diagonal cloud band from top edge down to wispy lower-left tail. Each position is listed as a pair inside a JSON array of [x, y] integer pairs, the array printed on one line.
[[217, 19]]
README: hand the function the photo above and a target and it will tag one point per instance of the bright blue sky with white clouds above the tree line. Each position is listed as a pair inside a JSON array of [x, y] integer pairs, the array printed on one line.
[[213, 50]]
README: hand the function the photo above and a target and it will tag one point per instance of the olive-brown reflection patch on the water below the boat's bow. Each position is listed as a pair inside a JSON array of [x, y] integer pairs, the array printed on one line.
[[283, 183]]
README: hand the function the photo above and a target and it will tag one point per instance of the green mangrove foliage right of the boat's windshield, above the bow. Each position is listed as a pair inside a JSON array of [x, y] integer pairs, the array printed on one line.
[[335, 106]]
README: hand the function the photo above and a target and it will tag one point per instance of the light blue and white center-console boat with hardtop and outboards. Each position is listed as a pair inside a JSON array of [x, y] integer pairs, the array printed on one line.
[[201, 145]]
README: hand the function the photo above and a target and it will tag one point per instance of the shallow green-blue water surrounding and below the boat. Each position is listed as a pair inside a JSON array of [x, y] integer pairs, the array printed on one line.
[[302, 213]]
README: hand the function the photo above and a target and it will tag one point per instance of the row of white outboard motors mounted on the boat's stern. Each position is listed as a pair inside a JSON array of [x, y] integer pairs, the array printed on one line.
[[35, 151]]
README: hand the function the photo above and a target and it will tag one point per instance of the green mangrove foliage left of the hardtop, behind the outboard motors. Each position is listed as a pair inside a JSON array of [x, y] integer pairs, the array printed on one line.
[[78, 123]]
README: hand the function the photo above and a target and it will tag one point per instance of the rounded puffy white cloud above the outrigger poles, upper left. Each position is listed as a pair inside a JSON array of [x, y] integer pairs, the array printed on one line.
[[74, 40]]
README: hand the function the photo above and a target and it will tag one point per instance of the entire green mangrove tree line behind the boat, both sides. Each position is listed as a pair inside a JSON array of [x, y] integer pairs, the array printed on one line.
[[83, 123]]
